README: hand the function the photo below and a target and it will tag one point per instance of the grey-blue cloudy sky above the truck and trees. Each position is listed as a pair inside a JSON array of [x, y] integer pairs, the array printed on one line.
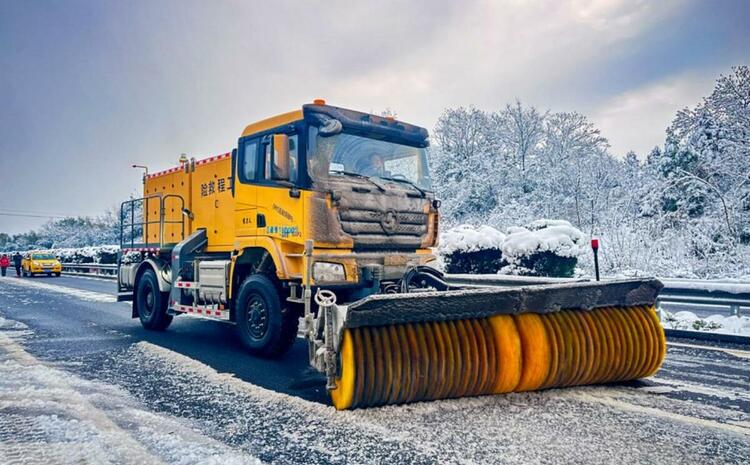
[[88, 88]]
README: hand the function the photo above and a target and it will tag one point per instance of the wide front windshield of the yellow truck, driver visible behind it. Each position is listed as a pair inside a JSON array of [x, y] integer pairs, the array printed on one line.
[[344, 154]]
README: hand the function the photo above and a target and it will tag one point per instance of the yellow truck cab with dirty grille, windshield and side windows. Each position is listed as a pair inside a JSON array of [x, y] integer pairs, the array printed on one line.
[[353, 183]]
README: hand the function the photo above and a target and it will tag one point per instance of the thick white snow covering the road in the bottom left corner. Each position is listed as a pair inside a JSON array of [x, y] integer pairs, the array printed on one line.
[[48, 415]]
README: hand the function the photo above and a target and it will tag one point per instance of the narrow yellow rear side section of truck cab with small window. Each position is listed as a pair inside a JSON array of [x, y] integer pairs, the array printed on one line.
[[246, 189]]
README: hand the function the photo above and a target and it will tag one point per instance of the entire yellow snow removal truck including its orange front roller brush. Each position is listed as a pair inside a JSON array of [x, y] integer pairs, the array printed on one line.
[[321, 224]]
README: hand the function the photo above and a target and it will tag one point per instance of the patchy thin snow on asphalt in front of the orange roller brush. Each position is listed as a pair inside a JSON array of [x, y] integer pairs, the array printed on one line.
[[579, 425]]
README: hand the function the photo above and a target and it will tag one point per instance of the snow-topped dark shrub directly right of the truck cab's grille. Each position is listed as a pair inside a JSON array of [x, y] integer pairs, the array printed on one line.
[[466, 249]]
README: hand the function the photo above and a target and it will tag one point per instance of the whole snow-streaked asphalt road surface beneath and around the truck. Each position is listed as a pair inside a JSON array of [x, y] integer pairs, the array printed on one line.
[[82, 382]]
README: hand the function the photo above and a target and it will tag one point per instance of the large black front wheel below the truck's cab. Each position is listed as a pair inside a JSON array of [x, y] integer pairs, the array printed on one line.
[[265, 327]]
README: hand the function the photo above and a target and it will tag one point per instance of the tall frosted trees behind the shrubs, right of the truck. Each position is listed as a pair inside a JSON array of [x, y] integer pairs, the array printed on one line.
[[683, 211]]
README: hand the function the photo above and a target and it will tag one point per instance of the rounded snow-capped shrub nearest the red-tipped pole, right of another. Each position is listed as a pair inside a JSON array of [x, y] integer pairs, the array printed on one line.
[[543, 248]]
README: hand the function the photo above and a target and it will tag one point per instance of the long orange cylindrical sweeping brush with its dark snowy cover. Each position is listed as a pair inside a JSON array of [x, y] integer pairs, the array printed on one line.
[[400, 348]]
